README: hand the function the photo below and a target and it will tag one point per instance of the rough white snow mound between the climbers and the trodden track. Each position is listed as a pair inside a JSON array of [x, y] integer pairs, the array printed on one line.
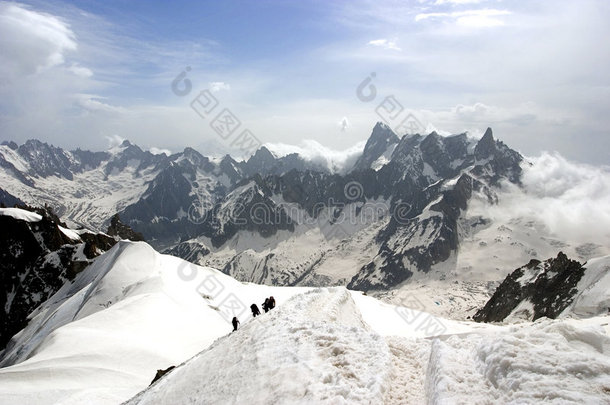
[[294, 354]]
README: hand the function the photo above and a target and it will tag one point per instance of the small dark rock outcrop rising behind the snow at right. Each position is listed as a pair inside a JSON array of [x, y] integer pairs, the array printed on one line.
[[549, 286]]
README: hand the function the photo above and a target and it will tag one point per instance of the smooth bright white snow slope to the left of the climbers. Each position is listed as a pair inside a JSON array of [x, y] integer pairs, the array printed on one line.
[[132, 312]]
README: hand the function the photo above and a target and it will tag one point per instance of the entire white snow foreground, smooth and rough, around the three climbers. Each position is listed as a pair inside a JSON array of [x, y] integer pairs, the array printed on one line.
[[101, 339]]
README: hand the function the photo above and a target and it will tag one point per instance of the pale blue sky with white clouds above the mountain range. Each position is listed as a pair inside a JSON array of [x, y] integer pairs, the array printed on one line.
[[86, 73]]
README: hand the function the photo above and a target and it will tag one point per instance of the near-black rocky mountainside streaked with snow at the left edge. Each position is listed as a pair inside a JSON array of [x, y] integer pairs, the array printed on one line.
[[36, 259]]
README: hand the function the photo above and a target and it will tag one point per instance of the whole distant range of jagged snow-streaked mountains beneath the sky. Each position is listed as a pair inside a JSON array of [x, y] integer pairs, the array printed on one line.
[[411, 208]]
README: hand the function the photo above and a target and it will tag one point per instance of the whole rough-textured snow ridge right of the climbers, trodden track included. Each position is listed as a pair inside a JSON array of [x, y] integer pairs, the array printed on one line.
[[320, 348]]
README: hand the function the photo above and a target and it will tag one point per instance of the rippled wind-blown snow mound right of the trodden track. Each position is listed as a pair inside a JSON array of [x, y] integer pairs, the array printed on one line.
[[546, 362]]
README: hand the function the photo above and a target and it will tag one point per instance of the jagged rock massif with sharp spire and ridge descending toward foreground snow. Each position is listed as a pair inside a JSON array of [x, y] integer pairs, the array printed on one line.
[[419, 168]]
